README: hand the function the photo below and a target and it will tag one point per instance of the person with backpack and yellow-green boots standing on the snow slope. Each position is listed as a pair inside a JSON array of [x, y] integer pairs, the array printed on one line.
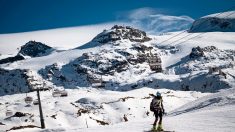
[[156, 106]]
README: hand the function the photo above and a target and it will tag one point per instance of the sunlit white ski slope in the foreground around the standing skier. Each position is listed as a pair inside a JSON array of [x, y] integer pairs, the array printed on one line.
[[198, 111]]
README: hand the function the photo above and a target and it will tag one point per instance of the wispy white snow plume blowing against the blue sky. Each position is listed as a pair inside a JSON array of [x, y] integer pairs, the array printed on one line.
[[154, 22]]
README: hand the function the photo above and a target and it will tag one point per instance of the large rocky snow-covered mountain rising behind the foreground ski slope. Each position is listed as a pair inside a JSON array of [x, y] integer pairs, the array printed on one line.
[[115, 56]]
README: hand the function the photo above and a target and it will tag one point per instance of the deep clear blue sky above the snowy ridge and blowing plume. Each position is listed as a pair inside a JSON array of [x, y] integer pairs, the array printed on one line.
[[30, 15]]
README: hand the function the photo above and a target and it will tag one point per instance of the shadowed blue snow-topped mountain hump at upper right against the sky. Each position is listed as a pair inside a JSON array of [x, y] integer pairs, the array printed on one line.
[[223, 21]]
